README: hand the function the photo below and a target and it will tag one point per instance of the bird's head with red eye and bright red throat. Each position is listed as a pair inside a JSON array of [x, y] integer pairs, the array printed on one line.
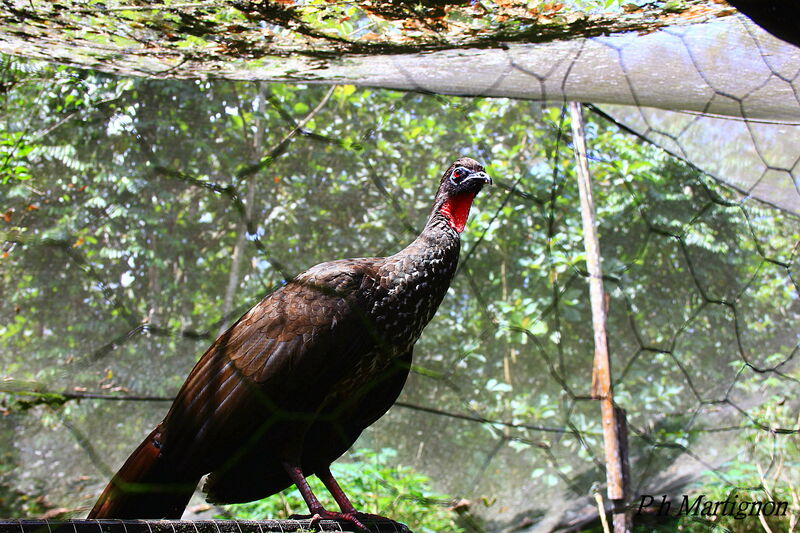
[[460, 183]]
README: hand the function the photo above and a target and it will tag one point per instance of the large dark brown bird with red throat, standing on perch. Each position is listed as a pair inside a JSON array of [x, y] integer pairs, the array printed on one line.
[[288, 389]]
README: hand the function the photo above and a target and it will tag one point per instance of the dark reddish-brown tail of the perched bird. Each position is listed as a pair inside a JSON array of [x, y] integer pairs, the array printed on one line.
[[145, 487]]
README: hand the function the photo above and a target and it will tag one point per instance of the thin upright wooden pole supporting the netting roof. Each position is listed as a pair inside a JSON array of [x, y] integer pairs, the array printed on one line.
[[601, 375]]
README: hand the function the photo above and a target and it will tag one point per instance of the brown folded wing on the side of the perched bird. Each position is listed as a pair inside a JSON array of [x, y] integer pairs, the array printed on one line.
[[271, 370]]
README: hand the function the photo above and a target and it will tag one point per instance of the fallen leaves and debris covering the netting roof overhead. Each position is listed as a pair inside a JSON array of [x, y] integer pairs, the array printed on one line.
[[288, 38]]
